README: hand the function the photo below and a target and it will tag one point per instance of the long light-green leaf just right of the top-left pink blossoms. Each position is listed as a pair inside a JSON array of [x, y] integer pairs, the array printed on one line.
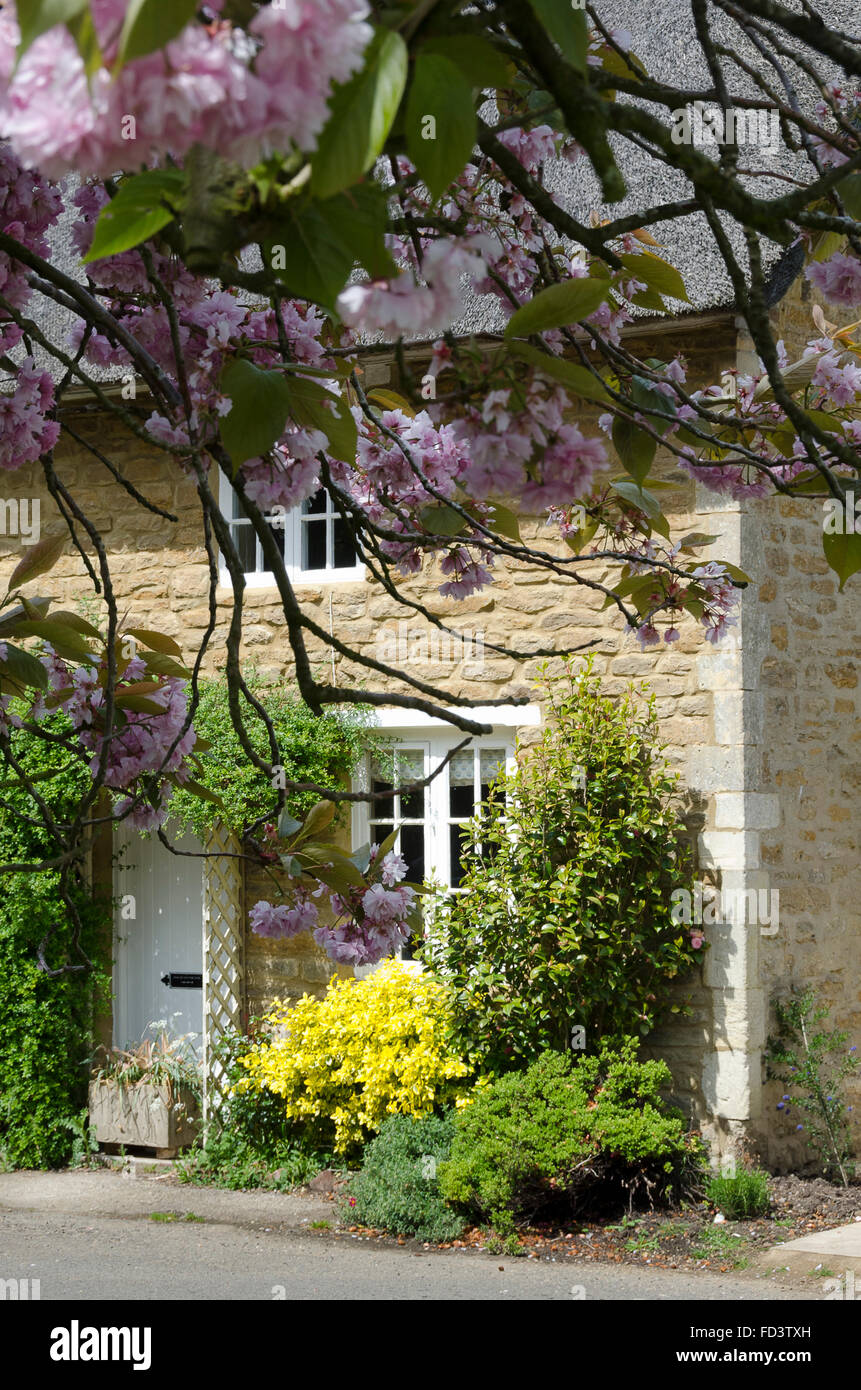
[[361, 116]]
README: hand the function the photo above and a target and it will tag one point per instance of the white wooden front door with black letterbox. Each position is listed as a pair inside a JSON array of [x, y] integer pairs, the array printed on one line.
[[159, 936]]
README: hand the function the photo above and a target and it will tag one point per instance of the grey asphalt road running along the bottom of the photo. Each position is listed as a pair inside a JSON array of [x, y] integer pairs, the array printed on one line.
[[81, 1257]]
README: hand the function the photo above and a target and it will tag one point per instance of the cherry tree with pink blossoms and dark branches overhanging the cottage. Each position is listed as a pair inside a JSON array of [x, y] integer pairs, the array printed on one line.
[[259, 194]]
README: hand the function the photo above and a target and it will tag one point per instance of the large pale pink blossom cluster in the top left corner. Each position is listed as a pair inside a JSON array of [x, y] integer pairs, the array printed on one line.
[[240, 94]]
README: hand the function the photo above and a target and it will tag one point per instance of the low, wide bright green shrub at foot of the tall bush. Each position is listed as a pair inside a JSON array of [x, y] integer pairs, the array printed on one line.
[[567, 1138]]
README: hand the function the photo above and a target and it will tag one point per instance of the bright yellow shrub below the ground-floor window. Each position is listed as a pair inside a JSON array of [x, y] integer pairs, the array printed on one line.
[[368, 1050]]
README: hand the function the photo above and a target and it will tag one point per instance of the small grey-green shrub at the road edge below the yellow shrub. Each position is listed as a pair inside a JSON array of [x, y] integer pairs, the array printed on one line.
[[399, 1188]]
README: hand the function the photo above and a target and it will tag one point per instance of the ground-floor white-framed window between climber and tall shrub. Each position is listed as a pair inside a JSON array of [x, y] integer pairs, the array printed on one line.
[[432, 819]]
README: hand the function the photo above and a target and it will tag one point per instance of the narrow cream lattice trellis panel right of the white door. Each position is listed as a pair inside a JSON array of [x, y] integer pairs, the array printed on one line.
[[223, 963]]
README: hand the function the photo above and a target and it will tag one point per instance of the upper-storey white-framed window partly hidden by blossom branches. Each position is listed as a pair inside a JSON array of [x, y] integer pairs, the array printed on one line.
[[314, 539]]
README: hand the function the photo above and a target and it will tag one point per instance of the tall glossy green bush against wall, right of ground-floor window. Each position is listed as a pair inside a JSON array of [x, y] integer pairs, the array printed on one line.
[[567, 914]]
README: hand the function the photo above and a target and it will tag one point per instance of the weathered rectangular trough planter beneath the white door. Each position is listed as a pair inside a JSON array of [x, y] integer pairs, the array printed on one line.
[[144, 1115]]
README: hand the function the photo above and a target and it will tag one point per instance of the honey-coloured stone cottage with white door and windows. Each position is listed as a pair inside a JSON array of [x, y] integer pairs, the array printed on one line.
[[764, 729]]
